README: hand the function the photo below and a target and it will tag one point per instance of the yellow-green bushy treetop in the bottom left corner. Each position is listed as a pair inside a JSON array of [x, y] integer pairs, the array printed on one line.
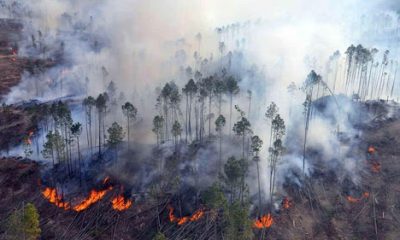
[[24, 224]]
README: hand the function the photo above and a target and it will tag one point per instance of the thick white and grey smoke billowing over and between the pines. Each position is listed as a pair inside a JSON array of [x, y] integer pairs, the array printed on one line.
[[140, 45]]
